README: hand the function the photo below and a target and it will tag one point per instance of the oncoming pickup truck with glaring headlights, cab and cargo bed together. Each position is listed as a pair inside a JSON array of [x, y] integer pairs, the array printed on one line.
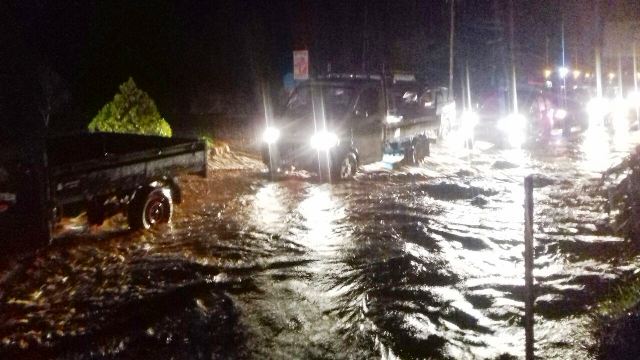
[[333, 124]]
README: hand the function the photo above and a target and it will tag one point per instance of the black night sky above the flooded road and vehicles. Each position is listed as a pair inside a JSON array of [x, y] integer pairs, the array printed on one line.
[[179, 50]]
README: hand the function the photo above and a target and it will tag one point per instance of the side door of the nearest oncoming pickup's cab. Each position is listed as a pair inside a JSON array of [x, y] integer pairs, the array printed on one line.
[[367, 125]]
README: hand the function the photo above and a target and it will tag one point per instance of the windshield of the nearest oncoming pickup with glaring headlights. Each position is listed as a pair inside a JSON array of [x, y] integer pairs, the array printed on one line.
[[336, 100]]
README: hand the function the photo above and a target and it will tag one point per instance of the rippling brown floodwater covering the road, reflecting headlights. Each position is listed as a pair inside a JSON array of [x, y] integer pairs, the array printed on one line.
[[414, 262]]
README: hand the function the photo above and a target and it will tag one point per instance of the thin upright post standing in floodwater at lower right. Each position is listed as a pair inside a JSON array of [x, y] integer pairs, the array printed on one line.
[[528, 266]]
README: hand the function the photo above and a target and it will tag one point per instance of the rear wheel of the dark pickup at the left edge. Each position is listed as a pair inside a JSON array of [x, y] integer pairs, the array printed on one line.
[[150, 208]]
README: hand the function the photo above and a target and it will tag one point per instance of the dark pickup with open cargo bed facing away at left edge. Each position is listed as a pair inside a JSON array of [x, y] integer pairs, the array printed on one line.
[[102, 173]]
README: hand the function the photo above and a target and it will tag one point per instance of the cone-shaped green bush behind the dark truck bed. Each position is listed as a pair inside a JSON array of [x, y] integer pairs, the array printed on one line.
[[131, 111]]
